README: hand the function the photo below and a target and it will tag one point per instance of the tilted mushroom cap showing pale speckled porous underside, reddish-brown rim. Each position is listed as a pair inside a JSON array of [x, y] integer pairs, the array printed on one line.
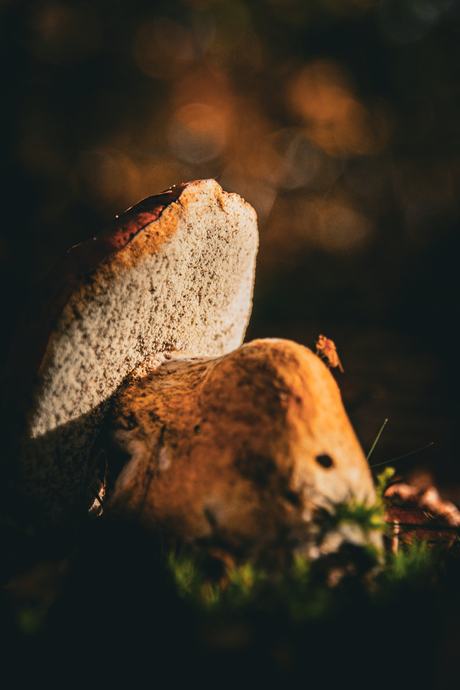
[[174, 273]]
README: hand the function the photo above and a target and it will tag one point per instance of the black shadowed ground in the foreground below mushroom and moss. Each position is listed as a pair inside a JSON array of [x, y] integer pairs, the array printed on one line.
[[115, 618]]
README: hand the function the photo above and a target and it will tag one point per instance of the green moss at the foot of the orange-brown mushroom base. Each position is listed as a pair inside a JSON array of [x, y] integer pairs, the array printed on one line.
[[303, 591]]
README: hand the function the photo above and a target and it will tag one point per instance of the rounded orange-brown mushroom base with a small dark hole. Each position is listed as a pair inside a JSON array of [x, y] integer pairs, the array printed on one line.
[[242, 451]]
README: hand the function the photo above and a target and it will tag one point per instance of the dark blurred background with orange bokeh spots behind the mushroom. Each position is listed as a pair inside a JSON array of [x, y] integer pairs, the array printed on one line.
[[338, 120]]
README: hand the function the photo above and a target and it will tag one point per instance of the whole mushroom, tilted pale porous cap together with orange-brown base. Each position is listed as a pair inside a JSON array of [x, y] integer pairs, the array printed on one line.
[[127, 392]]
